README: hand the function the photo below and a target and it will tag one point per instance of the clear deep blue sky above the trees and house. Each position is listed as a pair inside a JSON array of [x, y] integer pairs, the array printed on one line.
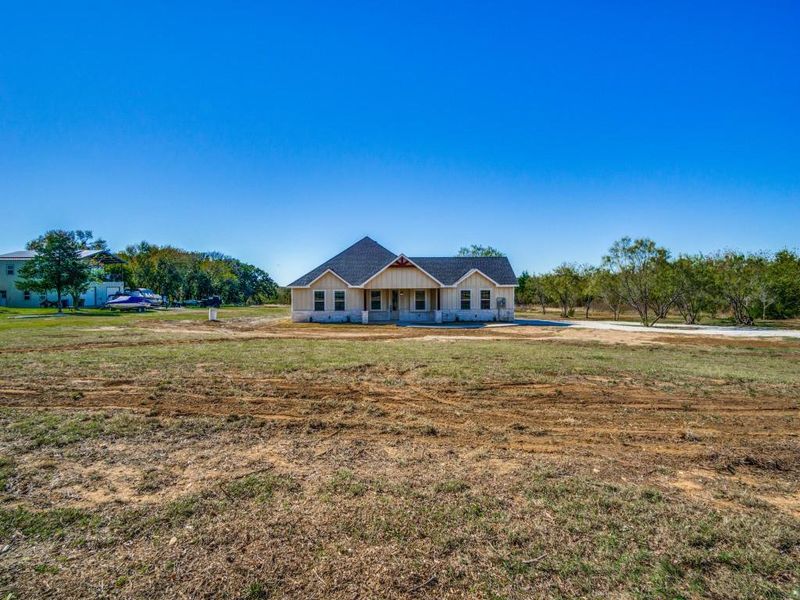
[[280, 134]]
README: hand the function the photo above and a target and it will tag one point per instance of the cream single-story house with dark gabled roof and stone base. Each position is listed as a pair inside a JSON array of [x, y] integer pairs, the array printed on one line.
[[368, 283]]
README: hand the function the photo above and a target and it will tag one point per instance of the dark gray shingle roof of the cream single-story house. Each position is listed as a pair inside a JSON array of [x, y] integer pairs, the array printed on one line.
[[366, 257]]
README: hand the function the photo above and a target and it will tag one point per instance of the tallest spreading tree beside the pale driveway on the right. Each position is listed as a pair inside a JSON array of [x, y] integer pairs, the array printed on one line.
[[645, 276]]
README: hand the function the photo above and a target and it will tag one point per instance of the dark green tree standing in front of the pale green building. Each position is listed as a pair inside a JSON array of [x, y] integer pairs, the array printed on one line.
[[57, 265]]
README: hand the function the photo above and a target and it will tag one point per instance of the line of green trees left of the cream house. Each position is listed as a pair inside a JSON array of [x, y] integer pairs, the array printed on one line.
[[172, 272]]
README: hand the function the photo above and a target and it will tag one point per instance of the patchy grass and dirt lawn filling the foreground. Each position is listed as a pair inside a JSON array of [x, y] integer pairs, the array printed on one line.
[[162, 456]]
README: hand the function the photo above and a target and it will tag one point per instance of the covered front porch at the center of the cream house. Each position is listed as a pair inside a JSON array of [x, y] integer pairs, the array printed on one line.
[[405, 305]]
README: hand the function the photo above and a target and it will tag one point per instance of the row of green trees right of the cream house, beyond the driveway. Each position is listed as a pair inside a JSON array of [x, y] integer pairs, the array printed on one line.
[[641, 276]]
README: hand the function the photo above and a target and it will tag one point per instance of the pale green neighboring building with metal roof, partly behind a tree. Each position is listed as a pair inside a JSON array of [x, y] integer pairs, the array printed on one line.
[[99, 291]]
